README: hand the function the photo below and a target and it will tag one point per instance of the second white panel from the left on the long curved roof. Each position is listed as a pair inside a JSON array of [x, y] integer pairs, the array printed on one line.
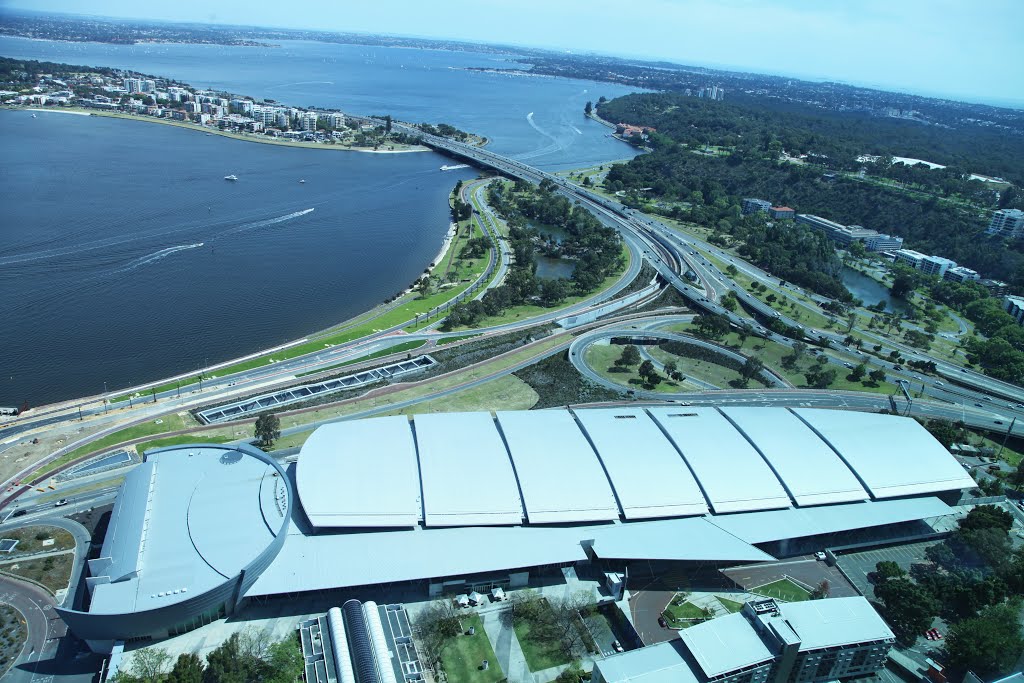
[[466, 473]]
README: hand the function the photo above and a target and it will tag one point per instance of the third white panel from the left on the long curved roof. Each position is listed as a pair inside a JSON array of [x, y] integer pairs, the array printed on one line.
[[561, 478]]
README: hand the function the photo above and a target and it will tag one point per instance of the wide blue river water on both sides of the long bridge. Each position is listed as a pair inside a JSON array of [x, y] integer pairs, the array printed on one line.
[[125, 258]]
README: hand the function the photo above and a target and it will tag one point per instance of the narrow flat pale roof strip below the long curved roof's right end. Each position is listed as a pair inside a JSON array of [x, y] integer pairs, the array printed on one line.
[[796, 523]]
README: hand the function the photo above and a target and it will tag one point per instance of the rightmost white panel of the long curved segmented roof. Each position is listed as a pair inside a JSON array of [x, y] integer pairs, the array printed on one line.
[[892, 456]]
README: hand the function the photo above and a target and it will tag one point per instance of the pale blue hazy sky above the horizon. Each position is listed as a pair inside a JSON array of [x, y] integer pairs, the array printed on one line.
[[962, 50]]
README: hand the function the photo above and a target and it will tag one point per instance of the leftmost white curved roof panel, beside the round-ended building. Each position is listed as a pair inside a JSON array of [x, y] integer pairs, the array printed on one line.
[[361, 474]]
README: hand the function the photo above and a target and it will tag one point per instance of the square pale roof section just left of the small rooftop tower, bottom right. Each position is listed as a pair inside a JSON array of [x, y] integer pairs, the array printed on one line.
[[726, 645]]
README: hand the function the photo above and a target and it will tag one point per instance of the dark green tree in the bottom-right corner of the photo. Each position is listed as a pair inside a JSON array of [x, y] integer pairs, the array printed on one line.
[[989, 645]]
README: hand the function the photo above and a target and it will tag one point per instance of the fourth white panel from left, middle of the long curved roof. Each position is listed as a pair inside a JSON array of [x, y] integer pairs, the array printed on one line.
[[649, 476]]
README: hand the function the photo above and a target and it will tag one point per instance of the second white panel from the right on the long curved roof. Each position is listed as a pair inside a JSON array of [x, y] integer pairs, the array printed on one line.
[[808, 468]]
